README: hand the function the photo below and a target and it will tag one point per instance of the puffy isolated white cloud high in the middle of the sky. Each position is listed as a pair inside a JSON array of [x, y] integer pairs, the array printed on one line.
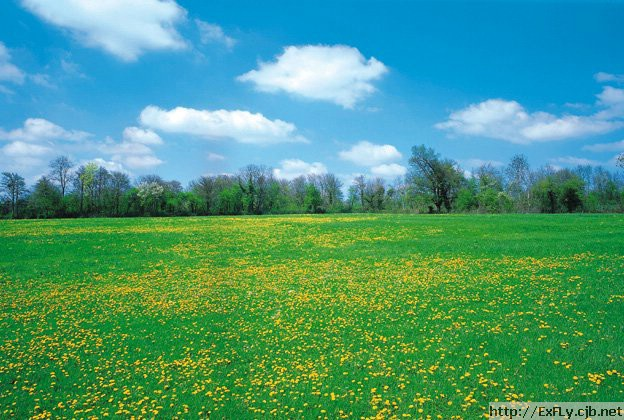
[[338, 74]]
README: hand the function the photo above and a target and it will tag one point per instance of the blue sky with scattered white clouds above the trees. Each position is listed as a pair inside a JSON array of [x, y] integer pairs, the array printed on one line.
[[190, 88]]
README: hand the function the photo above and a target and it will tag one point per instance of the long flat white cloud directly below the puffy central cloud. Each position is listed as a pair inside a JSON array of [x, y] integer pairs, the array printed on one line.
[[240, 126]]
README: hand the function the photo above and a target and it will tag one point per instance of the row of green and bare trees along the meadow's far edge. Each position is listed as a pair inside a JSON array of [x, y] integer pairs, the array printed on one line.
[[433, 185]]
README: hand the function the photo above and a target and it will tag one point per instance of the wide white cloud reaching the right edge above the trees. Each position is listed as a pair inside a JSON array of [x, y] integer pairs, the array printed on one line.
[[510, 121]]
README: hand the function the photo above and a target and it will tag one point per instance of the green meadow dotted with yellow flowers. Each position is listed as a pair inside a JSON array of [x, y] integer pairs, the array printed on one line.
[[309, 316]]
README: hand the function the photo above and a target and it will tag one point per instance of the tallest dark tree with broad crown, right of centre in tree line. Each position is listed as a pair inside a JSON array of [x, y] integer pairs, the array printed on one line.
[[436, 176]]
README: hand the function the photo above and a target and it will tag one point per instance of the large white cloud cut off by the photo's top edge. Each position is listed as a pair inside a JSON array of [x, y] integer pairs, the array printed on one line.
[[123, 28]]
